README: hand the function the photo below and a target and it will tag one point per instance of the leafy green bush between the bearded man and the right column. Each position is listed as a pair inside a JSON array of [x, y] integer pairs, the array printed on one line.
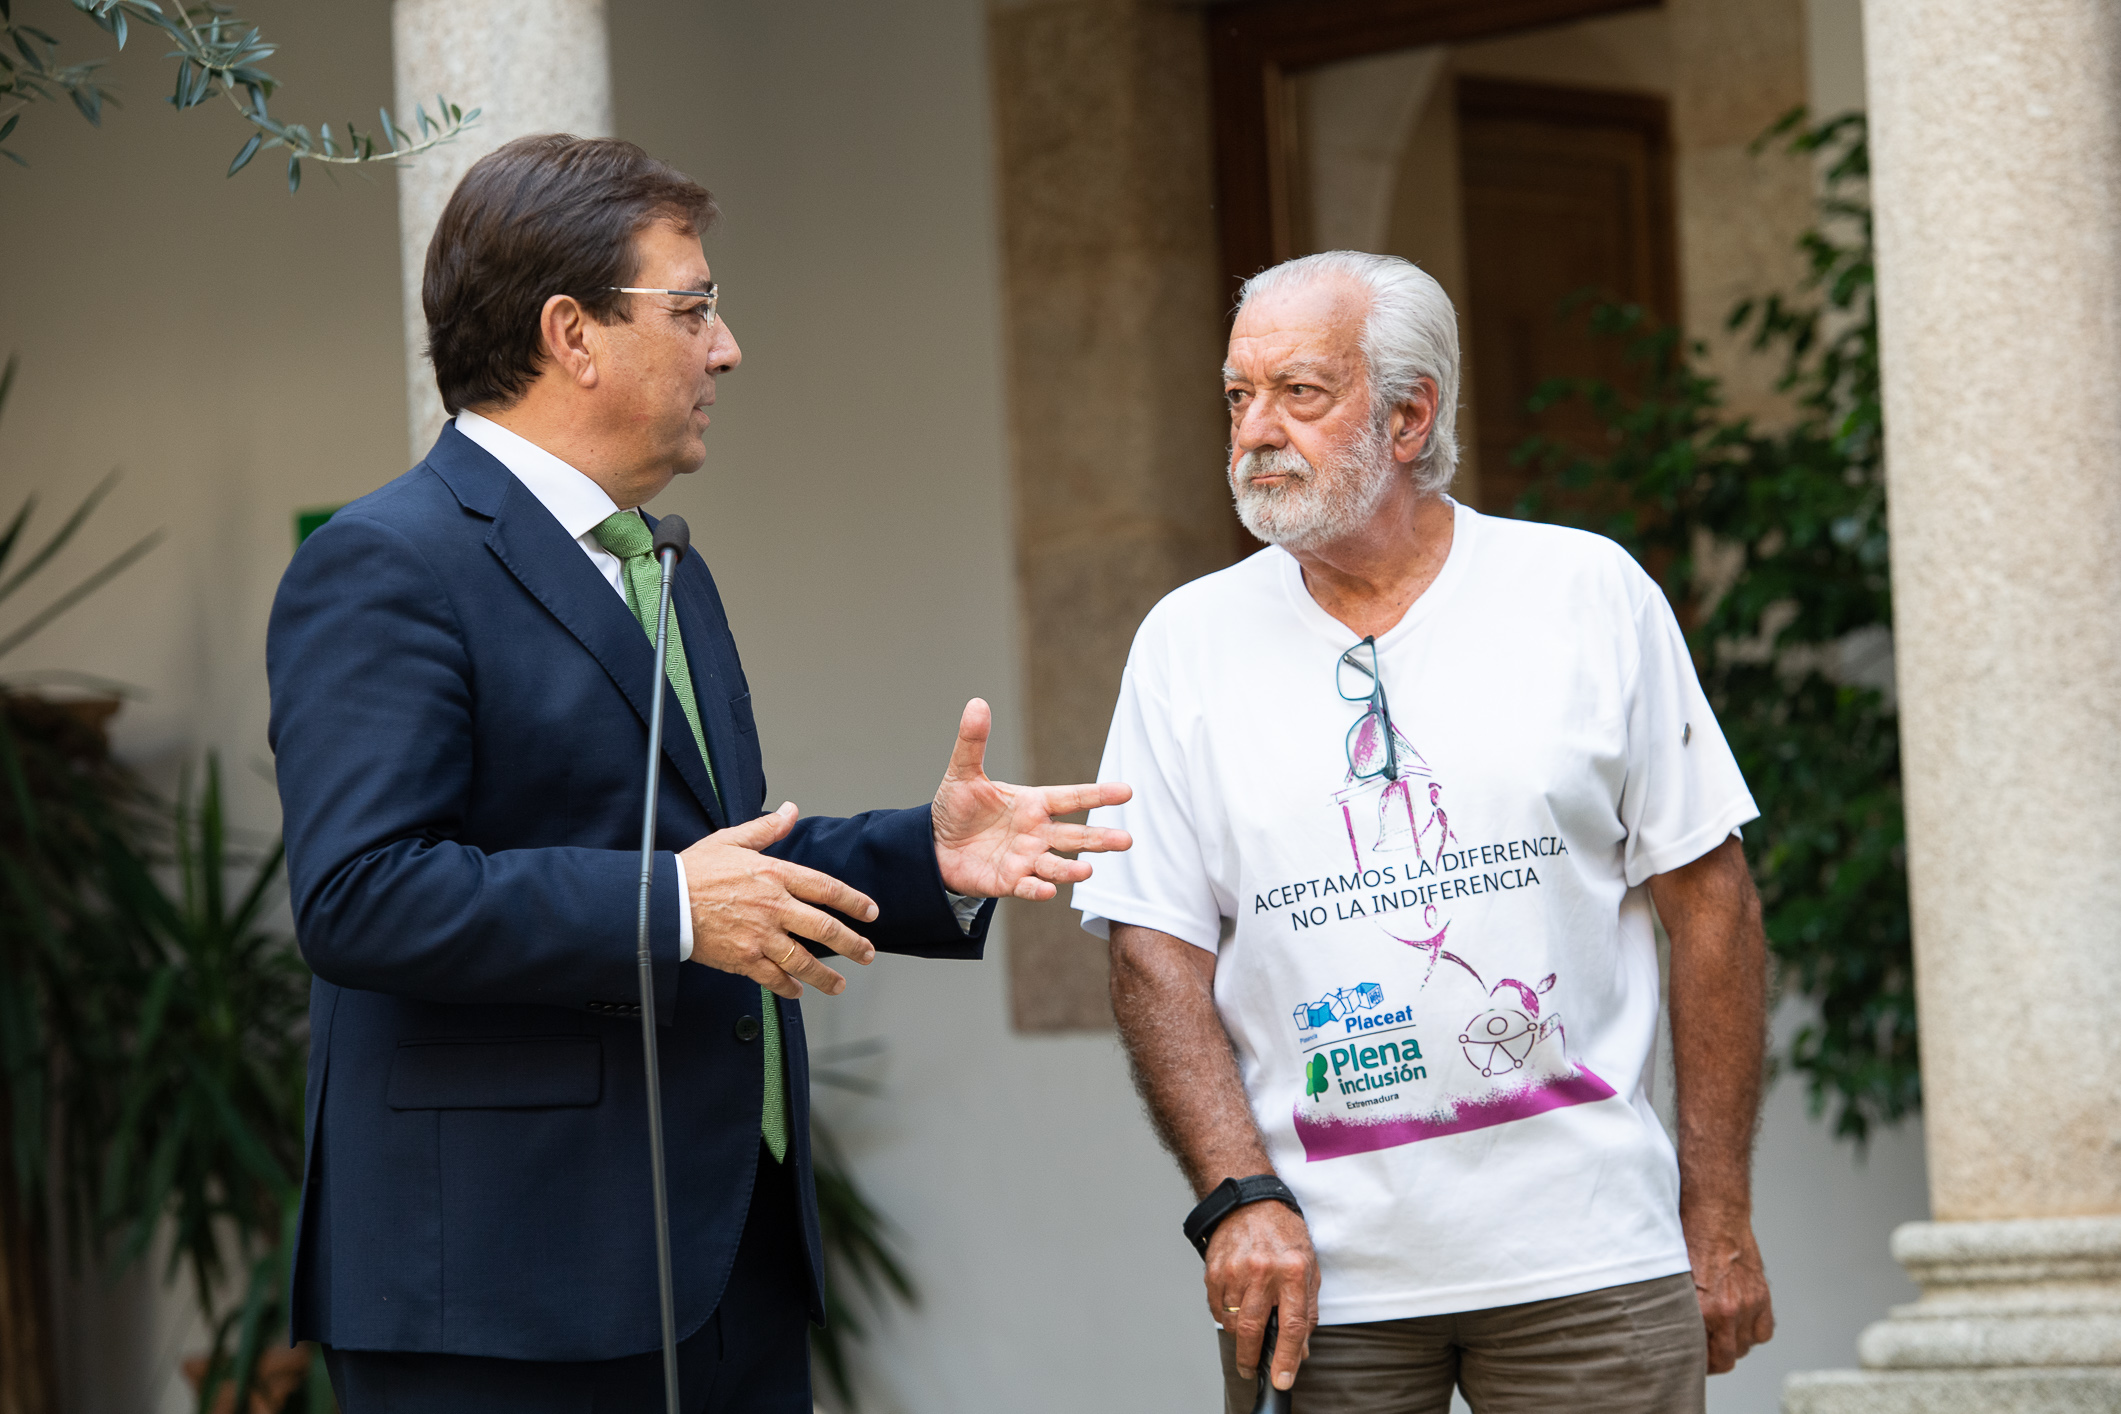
[[1772, 542]]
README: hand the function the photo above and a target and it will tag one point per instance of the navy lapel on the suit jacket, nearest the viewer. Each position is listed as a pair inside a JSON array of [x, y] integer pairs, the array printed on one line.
[[550, 565]]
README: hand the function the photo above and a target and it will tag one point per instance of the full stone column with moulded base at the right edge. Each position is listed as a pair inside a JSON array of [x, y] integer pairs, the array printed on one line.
[[1997, 154]]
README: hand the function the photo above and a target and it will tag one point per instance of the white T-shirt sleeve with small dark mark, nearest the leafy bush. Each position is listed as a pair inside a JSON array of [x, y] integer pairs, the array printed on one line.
[[1683, 794]]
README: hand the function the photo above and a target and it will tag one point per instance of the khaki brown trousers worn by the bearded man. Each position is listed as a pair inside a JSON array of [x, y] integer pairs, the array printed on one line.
[[1636, 1349]]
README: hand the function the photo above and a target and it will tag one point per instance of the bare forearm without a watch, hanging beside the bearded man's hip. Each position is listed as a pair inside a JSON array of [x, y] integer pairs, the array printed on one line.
[[1719, 1025]]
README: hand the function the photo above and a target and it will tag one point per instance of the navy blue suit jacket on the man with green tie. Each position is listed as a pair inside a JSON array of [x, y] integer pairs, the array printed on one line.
[[459, 715]]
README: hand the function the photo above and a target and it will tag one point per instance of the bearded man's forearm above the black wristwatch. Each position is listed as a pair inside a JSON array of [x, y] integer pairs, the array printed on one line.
[[1185, 1067]]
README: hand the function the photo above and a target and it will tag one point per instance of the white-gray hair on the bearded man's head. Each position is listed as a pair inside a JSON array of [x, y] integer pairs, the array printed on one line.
[[1409, 338]]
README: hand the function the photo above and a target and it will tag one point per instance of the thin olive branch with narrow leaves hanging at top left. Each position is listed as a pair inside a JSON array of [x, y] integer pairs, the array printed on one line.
[[217, 56]]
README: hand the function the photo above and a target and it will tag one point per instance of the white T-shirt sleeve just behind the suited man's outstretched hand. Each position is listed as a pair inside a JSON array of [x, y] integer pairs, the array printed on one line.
[[1161, 883]]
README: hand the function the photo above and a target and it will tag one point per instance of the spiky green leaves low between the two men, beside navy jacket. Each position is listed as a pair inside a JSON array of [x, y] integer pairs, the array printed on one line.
[[856, 1235]]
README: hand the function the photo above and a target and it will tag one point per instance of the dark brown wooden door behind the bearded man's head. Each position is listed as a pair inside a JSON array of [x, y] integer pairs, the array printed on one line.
[[1566, 192]]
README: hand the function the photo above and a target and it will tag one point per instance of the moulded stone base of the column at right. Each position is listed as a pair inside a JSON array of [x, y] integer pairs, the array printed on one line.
[[2014, 1318]]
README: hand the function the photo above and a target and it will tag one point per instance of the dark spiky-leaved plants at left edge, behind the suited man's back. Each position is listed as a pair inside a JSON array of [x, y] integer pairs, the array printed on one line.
[[152, 1033]]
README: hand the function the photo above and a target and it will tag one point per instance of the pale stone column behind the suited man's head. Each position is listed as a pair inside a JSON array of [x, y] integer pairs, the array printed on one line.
[[531, 67]]
